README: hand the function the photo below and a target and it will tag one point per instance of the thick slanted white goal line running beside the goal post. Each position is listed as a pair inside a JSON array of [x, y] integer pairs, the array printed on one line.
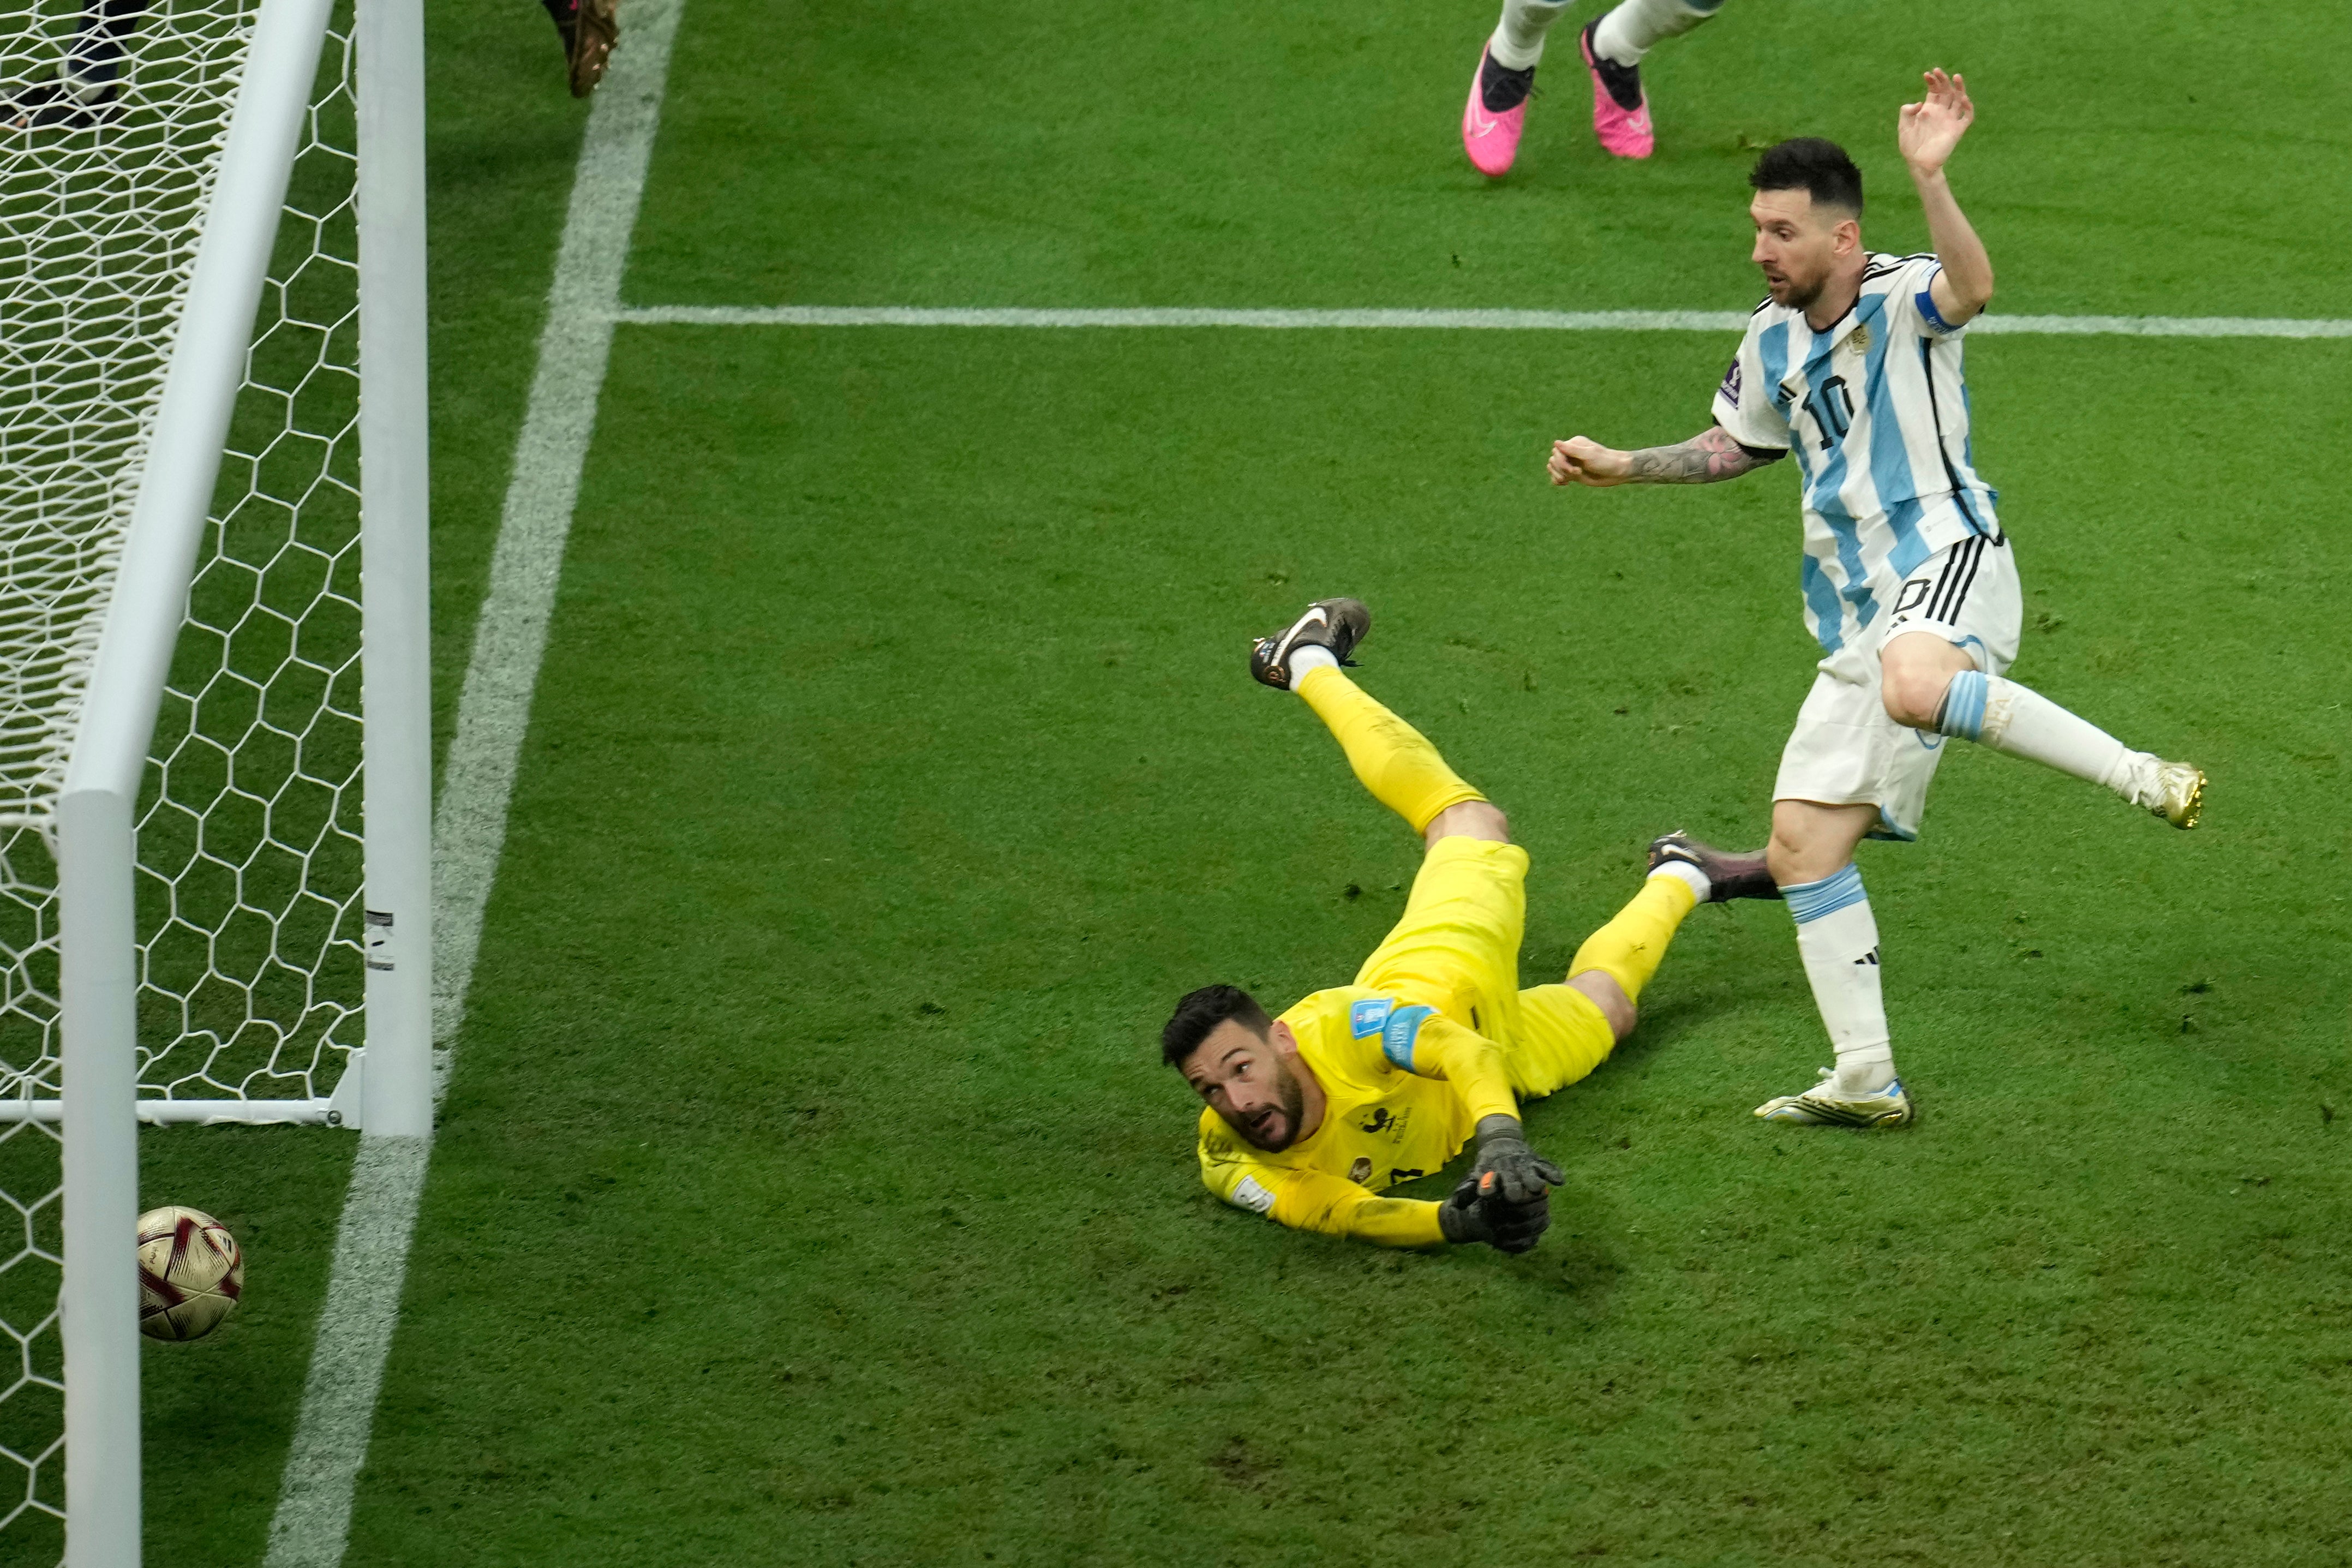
[[469, 826]]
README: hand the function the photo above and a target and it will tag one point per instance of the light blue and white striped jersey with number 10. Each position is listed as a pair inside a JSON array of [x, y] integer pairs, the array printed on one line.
[[1878, 415]]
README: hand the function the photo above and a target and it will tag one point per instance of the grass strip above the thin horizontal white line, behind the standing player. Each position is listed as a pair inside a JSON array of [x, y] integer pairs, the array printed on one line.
[[1194, 154]]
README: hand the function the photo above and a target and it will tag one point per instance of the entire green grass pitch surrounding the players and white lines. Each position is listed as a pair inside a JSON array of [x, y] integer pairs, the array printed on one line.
[[810, 1191]]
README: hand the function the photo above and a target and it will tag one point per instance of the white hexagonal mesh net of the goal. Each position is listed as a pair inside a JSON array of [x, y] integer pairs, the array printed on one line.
[[248, 826]]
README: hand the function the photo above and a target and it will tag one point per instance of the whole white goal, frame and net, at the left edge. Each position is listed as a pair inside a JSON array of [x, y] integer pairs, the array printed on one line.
[[215, 664]]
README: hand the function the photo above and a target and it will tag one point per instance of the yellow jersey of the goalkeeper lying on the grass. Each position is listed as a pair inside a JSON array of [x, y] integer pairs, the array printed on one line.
[[1403, 1085]]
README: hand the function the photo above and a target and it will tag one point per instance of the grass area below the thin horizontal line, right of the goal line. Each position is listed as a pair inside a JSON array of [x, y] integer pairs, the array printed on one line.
[[813, 1188]]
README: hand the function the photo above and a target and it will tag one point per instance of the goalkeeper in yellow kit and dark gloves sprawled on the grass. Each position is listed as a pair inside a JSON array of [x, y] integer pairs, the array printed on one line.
[[1351, 1092]]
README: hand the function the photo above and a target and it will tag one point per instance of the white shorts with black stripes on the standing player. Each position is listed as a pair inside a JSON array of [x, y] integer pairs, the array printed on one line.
[[1845, 749]]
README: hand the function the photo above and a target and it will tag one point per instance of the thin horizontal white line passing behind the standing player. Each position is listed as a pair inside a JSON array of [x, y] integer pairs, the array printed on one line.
[[1455, 321]]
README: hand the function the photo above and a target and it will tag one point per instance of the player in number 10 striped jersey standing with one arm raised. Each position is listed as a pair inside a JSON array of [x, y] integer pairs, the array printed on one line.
[[1909, 579]]
